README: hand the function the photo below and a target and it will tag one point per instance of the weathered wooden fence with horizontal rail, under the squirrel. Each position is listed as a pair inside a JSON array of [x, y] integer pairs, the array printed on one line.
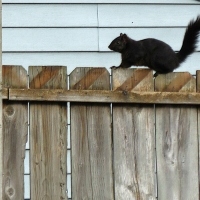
[[143, 146]]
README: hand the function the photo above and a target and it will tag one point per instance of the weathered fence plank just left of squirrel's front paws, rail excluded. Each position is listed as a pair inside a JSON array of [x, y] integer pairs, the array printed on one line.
[[91, 139]]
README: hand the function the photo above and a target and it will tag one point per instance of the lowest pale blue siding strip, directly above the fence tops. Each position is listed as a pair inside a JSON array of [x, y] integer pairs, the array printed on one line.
[[83, 59]]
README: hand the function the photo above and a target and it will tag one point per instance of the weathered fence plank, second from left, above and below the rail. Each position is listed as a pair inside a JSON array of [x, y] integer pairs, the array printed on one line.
[[48, 142]]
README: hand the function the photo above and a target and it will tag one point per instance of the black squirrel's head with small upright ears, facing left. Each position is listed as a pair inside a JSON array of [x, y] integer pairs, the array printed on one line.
[[119, 43]]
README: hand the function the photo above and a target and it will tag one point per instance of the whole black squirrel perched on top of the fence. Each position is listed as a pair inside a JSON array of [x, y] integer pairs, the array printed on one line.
[[156, 54]]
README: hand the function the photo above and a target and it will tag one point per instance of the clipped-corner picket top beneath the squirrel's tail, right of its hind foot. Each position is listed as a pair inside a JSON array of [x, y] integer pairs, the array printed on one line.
[[175, 82]]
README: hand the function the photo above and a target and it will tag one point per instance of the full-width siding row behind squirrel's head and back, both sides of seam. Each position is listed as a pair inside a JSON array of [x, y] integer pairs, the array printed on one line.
[[82, 39]]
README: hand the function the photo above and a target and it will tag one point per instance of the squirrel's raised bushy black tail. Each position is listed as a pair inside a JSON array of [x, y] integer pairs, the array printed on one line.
[[190, 39]]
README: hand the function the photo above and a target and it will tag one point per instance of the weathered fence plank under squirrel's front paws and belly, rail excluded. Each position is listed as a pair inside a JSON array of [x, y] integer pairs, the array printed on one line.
[[134, 142]]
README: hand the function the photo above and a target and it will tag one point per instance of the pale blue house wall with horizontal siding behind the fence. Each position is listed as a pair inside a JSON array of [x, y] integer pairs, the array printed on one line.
[[77, 34]]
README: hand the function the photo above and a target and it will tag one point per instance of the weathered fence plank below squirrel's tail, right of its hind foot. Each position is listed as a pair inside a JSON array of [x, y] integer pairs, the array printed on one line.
[[176, 141]]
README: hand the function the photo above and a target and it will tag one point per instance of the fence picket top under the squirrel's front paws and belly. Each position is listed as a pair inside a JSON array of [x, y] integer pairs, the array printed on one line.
[[133, 79]]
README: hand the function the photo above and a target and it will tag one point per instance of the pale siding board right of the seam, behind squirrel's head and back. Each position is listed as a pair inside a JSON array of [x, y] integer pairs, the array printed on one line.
[[171, 36]]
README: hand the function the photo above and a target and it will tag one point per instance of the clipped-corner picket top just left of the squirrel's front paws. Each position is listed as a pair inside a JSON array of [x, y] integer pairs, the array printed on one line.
[[86, 78]]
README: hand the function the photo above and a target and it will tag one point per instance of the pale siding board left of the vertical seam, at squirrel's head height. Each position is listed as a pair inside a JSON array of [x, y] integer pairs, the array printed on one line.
[[49, 39]]
